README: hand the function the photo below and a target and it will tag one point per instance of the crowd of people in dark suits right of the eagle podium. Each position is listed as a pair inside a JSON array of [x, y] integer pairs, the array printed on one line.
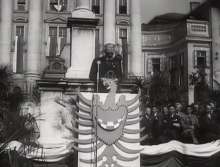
[[195, 123]]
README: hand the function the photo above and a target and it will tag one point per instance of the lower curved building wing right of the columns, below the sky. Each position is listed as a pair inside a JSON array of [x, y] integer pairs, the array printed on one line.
[[178, 47]]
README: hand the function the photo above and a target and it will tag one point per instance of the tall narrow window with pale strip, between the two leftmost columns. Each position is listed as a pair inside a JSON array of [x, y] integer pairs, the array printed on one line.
[[19, 50]]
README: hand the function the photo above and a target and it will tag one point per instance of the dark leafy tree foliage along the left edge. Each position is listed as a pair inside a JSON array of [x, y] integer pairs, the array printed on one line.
[[13, 125]]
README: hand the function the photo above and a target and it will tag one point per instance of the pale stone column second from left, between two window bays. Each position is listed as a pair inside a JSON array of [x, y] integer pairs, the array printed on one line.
[[34, 43]]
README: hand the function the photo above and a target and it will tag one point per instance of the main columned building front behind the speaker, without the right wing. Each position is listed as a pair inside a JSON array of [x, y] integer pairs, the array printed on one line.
[[32, 32]]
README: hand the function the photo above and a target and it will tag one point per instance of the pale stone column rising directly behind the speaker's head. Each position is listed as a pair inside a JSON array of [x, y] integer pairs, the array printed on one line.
[[109, 21]]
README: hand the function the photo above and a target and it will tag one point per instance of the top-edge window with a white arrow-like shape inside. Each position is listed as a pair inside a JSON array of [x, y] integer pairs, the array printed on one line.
[[58, 5]]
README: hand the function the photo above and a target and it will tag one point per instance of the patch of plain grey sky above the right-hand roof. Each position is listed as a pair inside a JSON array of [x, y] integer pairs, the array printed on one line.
[[152, 8]]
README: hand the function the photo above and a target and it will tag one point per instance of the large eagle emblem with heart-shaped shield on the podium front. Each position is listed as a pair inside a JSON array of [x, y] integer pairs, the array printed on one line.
[[104, 127]]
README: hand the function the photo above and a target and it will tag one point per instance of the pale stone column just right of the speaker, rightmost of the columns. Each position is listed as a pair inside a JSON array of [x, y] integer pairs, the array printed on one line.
[[136, 59]]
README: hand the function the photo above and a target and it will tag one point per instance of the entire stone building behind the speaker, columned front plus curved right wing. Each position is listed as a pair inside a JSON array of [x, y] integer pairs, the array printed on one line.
[[33, 33]]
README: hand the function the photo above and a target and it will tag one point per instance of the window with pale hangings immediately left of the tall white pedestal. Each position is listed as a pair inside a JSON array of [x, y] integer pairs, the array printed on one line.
[[57, 40]]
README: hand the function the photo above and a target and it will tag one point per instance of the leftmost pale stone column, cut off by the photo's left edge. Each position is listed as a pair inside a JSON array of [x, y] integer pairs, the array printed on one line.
[[5, 31]]
